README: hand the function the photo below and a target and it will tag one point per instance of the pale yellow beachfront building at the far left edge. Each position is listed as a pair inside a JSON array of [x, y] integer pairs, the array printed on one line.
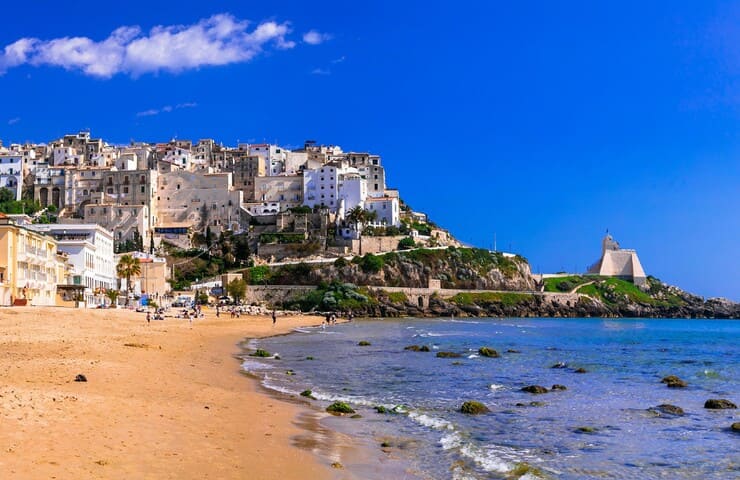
[[29, 265]]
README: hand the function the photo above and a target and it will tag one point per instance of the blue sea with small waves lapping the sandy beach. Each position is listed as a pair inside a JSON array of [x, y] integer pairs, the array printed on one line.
[[603, 425]]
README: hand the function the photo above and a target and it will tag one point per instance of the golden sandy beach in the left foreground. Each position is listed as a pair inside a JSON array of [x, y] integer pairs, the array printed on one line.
[[164, 400]]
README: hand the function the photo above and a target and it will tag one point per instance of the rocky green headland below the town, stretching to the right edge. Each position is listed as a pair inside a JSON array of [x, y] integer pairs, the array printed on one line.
[[477, 269]]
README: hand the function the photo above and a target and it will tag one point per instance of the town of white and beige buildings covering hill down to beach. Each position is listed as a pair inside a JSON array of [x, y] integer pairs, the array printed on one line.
[[77, 203]]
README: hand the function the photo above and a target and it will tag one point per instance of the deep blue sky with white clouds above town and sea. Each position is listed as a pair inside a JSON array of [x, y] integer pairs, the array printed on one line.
[[542, 123]]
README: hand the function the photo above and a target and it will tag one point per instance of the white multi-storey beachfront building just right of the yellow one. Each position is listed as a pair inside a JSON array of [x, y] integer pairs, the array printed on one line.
[[89, 249]]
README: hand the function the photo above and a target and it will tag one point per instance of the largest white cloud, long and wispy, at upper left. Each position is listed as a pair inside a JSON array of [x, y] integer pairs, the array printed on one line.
[[219, 40]]
